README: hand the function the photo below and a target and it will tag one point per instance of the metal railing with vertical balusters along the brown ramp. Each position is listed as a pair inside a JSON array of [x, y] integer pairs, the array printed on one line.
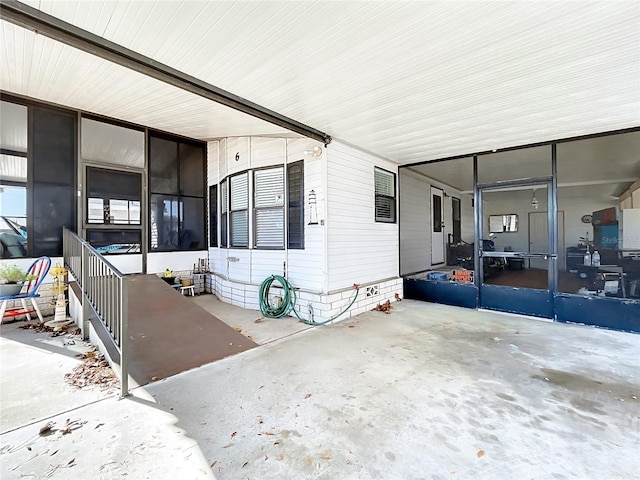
[[104, 288]]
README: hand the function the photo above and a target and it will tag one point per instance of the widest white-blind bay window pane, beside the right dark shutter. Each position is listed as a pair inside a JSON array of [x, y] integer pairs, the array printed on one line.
[[269, 207]]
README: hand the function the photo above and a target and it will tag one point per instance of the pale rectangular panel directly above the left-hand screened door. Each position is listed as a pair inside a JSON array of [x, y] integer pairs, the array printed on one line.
[[104, 142]]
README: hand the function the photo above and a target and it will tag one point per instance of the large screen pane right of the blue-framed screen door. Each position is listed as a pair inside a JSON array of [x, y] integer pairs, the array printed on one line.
[[596, 180]]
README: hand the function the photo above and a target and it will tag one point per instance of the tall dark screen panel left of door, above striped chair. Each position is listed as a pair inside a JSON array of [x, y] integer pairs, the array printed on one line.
[[54, 146]]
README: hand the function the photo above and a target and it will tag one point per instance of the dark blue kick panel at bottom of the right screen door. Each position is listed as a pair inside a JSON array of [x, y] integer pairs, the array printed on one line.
[[524, 301]]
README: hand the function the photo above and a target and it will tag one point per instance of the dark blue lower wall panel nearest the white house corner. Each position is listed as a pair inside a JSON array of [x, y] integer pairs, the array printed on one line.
[[449, 293]]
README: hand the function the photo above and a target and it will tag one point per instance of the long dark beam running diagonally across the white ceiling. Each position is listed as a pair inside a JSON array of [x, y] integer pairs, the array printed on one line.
[[52, 27]]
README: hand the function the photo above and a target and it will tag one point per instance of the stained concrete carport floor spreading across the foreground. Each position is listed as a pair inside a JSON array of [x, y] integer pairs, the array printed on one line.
[[429, 391]]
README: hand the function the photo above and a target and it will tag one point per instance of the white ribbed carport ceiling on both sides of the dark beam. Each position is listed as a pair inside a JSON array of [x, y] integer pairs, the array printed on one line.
[[410, 81]]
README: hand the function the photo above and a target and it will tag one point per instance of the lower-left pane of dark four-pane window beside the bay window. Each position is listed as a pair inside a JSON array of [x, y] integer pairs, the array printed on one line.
[[164, 222]]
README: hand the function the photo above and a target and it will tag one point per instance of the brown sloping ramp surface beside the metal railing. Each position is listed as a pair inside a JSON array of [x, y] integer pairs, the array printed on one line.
[[169, 333]]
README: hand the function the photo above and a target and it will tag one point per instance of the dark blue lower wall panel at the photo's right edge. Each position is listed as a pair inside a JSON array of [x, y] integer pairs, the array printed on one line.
[[614, 313]]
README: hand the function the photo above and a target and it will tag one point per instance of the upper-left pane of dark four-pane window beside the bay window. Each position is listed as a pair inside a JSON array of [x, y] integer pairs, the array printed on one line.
[[163, 166]]
